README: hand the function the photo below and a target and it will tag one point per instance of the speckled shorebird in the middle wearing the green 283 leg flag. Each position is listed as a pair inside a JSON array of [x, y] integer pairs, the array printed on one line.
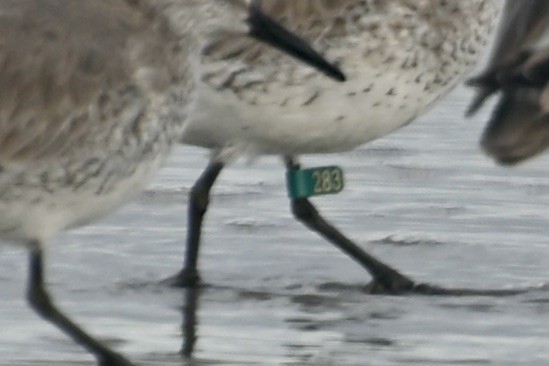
[[399, 57]]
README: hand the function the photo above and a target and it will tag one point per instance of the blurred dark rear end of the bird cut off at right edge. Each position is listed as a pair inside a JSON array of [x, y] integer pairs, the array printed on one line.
[[519, 69]]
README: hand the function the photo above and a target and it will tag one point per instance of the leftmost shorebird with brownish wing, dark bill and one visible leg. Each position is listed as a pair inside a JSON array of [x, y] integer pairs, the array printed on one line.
[[92, 97]]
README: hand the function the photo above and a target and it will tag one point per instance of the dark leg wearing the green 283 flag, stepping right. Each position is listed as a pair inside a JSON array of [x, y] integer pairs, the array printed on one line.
[[385, 278]]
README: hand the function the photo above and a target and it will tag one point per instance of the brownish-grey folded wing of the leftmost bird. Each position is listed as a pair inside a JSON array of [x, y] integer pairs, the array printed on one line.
[[58, 59]]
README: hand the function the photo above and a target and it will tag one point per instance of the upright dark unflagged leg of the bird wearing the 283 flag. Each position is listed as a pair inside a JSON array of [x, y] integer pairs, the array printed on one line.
[[199, 199]]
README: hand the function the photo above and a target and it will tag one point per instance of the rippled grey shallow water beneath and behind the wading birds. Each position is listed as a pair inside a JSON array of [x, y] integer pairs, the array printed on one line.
[[425, 200]]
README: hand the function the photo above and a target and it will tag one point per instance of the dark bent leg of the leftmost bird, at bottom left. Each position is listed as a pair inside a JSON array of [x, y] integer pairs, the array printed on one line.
[[40, 300]]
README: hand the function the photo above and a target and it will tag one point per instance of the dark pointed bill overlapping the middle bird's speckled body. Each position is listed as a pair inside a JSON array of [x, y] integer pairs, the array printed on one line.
[[265, 29]]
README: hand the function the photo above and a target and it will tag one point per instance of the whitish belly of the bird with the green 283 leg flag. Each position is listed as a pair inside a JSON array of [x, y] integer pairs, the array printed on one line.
[[322, 117]]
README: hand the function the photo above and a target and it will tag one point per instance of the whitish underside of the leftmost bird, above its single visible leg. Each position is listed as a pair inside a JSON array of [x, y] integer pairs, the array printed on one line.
[[36, 211]]
